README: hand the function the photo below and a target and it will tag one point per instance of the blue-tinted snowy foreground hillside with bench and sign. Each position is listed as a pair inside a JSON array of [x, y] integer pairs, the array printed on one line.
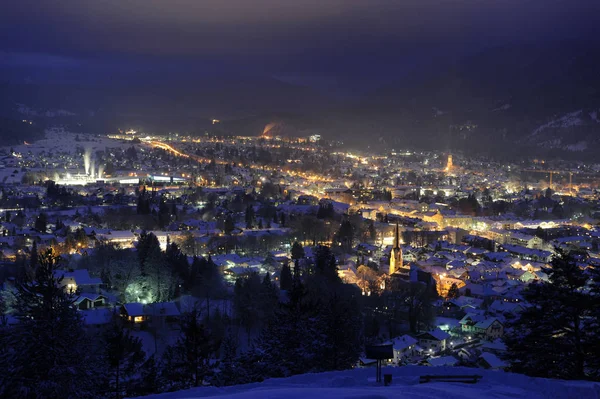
[[359, 384]]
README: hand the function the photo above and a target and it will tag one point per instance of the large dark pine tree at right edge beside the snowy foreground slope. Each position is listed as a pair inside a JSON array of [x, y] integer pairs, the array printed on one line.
[[553, 337]]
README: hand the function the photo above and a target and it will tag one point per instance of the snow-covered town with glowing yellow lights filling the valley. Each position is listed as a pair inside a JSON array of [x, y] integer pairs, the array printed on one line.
[[478, 229]]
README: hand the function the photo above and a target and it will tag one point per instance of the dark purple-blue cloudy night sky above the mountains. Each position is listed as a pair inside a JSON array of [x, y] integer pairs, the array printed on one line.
[[338, 44]]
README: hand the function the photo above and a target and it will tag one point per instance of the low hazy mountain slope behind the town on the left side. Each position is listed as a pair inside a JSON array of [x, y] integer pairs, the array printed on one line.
[[156, 107]]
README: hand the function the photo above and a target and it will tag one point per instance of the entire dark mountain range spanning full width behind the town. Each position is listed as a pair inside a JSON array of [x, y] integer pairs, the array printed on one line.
[[507, 101]]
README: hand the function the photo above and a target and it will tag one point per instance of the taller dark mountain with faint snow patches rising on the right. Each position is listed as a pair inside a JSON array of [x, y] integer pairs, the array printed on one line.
[[500, 96]]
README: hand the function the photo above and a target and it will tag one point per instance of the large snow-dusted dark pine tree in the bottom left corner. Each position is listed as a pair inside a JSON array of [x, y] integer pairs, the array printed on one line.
[[49, 354]]
